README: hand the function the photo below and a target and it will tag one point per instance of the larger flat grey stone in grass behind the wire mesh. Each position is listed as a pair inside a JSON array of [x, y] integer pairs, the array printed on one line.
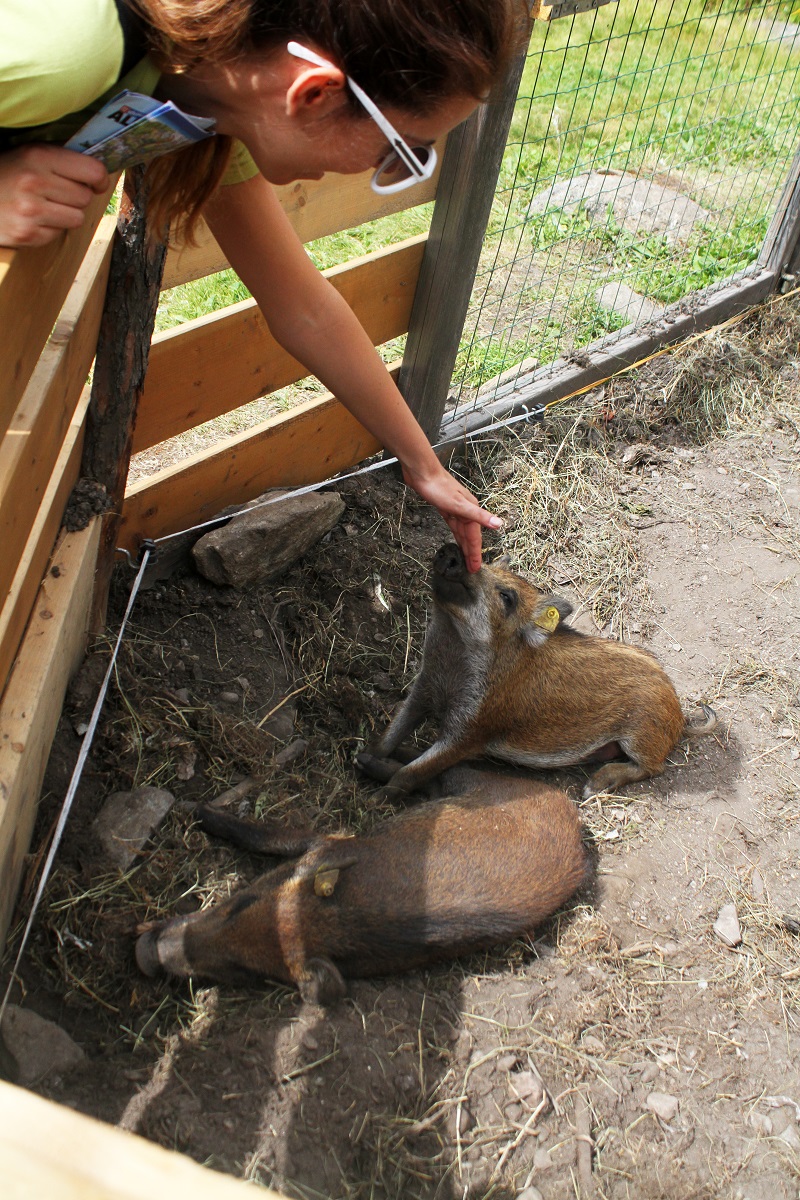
[[640, 206]]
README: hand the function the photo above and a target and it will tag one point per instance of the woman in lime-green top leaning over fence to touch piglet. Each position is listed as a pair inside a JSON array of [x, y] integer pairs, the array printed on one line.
[[297, 88]]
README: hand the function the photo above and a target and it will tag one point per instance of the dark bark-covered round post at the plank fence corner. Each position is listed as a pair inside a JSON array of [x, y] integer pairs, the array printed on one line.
[[121, 365]]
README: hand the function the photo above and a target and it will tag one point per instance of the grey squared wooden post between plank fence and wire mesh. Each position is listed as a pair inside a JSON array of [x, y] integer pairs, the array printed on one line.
[[470, 175]]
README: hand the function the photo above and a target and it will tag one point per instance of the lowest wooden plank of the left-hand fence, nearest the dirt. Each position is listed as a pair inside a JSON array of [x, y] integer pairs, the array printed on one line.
[[32, 704]]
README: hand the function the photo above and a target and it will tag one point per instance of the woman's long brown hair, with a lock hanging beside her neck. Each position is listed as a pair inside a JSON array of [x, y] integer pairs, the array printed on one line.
[[410, 55]]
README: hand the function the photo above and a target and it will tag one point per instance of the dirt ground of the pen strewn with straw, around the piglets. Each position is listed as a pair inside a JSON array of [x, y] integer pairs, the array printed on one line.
[[627, 1037]]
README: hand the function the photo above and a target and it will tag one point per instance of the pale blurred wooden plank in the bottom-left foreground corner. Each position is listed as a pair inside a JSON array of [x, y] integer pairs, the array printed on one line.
[[47, 1150]]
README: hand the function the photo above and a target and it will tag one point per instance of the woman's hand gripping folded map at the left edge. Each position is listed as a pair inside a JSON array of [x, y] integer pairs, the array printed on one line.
[[45, 190]]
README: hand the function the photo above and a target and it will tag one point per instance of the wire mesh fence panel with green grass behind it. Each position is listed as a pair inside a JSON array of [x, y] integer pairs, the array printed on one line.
[[649, 147]]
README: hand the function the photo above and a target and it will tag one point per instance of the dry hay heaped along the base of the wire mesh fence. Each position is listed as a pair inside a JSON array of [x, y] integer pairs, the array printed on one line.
[[562, 487]]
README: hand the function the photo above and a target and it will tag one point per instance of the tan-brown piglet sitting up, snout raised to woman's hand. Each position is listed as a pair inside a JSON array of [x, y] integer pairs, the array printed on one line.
[[507, 679]]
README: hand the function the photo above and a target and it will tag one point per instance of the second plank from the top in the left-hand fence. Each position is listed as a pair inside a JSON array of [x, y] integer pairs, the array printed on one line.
[[32, 447]]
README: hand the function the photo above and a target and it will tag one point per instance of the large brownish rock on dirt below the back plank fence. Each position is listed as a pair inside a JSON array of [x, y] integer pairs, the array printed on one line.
[[263, 543]]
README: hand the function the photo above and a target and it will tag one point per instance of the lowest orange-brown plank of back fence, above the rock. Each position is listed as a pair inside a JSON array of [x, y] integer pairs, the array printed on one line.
[[310, 443]]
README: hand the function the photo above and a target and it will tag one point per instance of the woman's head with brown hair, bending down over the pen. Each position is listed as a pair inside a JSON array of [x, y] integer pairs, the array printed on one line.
[[429, 61]]
